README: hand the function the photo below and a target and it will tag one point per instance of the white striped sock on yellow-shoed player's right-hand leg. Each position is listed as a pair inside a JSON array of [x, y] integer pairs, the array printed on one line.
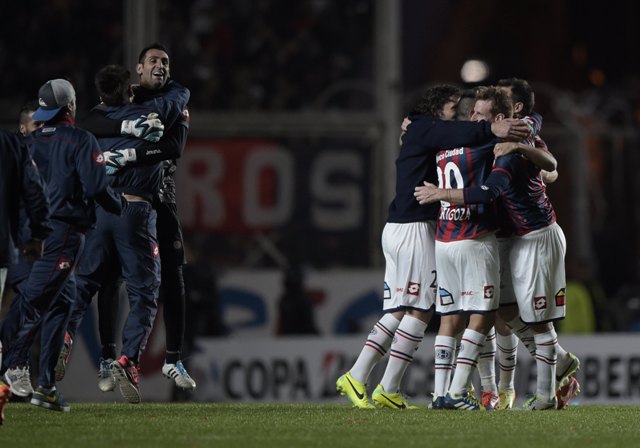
[[407, 339]]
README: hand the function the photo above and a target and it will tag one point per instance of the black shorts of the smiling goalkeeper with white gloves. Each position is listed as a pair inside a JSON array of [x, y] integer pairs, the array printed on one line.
[[169, 234]]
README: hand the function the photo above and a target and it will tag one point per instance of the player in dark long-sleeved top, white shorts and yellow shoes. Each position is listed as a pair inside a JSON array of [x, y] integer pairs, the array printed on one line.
[[408, 245]]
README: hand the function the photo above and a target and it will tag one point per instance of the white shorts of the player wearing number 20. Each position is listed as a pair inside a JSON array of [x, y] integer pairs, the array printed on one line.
[[468, 275]]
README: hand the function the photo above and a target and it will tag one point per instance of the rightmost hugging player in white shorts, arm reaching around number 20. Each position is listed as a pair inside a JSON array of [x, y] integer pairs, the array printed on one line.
[[539, 242]]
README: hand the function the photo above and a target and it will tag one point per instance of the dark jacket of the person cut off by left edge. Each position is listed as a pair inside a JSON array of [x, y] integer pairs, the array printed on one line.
[[21, 190]]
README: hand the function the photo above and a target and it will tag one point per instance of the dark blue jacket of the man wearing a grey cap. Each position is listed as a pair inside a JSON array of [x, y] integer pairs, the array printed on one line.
[[71, 165]]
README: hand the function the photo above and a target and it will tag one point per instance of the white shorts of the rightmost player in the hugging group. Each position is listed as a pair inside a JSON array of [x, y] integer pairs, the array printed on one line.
[[538, 275]]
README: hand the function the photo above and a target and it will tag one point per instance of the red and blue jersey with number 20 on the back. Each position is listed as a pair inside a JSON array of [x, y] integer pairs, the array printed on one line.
[[461, 168]]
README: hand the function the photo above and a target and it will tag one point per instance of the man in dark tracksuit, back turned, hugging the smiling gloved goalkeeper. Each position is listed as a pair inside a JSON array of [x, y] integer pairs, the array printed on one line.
[[131, 239]]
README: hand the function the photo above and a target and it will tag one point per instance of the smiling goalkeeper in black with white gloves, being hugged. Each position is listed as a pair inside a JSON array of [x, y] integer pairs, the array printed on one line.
[[155, 84]]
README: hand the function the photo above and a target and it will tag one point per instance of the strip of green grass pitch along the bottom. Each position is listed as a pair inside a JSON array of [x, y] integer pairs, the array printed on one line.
[[314, 425]]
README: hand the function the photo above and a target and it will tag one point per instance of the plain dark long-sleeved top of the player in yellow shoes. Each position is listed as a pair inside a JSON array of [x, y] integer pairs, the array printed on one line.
[[416, 161]]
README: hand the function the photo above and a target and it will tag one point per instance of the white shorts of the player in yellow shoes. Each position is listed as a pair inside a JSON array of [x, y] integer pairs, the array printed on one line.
[[410, 272]]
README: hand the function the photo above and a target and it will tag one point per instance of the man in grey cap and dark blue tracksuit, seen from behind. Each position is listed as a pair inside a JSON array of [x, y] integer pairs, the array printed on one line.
[[72, 167]]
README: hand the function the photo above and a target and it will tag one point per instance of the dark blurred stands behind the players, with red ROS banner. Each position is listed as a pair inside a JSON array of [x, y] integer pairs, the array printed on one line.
[[296, 107]]
